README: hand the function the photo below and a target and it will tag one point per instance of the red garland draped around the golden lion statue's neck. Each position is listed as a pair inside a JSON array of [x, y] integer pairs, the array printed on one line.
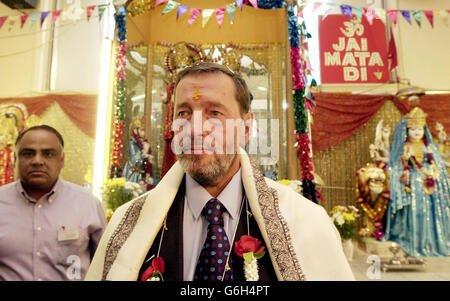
[[377, 212]]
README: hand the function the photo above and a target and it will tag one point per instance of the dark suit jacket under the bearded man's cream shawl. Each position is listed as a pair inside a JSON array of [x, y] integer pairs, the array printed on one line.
[[172, 245]]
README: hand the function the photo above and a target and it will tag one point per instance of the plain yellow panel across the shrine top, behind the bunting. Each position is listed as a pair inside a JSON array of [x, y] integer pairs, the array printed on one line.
[[249, 25]]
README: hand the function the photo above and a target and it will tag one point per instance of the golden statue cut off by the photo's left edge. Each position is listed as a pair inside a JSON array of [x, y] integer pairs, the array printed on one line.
[[8, 135]]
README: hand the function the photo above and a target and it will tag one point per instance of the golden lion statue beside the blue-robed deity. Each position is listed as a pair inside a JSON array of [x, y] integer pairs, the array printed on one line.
[[372, 195]]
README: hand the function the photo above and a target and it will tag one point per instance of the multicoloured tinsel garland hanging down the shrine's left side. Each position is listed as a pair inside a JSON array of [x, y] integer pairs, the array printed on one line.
[[120, 93]]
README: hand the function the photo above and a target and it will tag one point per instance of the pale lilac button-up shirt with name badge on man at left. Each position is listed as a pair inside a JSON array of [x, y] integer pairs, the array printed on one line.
[[53, 238]]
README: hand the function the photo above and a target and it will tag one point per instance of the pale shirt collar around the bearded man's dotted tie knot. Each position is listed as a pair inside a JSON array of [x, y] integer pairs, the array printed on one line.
[[231, 196]]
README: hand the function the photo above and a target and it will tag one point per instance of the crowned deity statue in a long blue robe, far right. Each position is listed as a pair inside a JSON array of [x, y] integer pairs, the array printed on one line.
[[418, 217]]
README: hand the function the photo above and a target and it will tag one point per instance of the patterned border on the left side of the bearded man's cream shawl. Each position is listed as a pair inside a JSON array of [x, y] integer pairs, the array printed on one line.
[[121, 233]]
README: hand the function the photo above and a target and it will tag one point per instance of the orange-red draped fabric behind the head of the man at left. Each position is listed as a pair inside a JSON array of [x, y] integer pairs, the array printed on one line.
[[80, 108]]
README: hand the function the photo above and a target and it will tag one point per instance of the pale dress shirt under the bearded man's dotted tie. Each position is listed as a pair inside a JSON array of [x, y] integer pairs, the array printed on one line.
[[195, 225]]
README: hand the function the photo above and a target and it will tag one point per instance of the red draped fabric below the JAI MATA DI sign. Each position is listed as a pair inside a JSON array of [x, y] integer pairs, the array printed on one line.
[[339, 115]]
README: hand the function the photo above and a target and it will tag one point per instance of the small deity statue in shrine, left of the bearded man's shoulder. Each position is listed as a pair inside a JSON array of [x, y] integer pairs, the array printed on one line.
[[138, 168]]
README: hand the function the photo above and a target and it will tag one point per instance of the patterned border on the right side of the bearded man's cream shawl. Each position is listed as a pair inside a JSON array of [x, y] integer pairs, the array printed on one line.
[[277, 229]]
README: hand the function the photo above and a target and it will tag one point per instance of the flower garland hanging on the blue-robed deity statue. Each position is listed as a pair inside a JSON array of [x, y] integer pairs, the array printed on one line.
[[429, 175]]
